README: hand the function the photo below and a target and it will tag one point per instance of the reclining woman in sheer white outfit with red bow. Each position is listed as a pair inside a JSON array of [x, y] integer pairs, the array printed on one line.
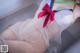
[[30, 37]]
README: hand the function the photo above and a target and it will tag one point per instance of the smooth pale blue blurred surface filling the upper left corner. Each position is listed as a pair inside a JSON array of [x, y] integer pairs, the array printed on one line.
[[8, 7]]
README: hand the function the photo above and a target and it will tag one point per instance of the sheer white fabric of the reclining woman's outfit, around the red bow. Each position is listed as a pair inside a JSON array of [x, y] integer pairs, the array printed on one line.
[[62, 18]]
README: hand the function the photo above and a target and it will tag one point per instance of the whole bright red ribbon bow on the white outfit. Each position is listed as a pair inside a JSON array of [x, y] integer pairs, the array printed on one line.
[[46, 11]]
